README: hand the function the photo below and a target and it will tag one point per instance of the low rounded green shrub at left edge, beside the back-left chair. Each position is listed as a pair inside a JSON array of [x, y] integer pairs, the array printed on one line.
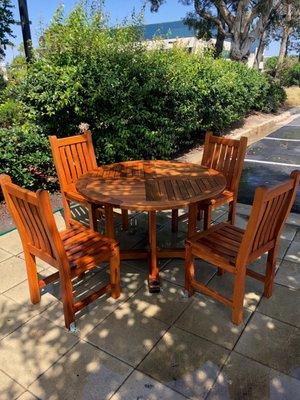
[[25, 156]]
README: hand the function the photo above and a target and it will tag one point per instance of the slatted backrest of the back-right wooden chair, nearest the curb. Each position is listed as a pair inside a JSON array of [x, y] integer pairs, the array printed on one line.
[[226, 156]]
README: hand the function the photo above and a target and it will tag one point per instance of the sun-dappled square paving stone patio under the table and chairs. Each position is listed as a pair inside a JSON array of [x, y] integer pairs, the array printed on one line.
[[147, 346]]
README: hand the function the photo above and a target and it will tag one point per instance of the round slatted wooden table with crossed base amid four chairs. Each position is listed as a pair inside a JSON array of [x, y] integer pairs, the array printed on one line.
[[150, 186]]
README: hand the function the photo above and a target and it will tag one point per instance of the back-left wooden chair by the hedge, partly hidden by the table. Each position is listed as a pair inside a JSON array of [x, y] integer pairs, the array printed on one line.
[[74, 156]]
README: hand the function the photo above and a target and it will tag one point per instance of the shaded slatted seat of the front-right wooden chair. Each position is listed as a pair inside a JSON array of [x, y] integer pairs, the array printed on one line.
[[219, 243]]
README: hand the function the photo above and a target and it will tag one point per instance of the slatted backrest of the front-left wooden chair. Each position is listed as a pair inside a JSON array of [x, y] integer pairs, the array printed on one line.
[[34, 220]]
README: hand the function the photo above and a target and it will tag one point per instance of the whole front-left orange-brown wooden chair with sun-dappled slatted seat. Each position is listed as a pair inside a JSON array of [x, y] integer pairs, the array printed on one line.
[[72, 251]]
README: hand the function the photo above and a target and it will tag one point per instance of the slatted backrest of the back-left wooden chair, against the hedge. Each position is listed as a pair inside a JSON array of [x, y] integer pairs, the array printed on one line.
[[73, 156]]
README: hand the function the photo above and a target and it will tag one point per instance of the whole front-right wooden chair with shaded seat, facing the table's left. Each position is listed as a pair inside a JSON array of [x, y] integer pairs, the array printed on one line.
[[232, 249]]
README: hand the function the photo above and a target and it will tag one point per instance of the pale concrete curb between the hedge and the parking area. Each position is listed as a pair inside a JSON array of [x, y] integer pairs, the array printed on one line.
[[253, 133]]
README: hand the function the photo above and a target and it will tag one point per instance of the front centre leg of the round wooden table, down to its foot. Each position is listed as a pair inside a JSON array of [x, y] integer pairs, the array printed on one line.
[[153, 279]]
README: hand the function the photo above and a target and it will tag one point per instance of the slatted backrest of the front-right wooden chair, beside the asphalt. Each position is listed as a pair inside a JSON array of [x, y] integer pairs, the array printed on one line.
[[269, 212]]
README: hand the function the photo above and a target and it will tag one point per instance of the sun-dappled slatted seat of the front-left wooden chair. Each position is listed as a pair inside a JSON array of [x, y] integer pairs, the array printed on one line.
[[84, 246]]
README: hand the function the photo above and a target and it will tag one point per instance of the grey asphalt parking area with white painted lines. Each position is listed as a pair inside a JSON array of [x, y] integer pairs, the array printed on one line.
[[270, 161]]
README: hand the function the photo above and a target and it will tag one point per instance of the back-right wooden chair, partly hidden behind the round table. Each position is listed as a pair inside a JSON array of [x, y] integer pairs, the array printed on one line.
[[226, 156]]
